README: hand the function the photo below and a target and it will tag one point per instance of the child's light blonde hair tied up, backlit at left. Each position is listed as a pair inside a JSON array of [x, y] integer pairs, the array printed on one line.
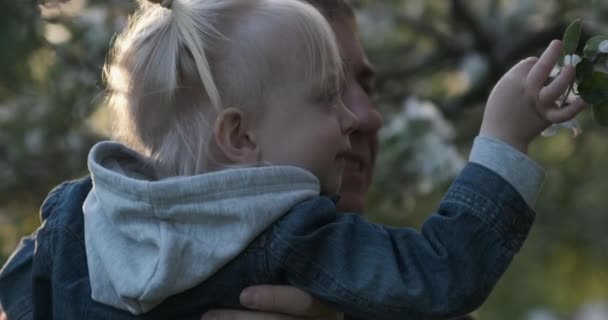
[[172, 70]]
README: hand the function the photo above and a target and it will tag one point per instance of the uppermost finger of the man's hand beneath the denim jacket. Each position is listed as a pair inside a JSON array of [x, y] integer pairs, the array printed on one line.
[[284, 299]]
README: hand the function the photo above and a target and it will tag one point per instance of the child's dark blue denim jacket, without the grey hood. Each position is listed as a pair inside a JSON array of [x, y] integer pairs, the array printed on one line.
[[446, 269]]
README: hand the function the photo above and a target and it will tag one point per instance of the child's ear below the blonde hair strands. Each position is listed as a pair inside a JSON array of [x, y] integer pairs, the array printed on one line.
[[234, 137]]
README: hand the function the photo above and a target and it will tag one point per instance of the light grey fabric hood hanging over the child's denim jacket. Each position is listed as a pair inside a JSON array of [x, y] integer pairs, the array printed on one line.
[[147, 239]]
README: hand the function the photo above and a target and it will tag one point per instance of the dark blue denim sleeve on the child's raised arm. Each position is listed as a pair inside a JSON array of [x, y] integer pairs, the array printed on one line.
[[446, 269]]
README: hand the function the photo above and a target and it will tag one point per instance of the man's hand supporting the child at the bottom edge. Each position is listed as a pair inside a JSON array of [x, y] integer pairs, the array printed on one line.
[[276, 303]]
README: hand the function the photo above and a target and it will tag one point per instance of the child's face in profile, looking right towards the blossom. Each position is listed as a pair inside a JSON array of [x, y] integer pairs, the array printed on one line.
[[307, 126]]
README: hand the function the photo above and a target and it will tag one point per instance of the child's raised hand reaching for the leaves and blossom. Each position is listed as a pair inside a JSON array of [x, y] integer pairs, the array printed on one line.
[[520, 106]]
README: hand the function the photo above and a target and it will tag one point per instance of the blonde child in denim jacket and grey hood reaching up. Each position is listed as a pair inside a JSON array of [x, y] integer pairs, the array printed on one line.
[[233, 142]]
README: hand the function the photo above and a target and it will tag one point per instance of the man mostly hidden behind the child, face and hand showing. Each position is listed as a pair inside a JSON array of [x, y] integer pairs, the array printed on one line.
[[287, 303]]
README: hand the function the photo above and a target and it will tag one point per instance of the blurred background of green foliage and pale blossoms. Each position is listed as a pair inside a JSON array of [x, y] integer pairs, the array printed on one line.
[[436, 60]]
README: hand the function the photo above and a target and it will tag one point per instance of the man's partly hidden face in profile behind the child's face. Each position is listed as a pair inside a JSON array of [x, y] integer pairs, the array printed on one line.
[[356, 96]]
